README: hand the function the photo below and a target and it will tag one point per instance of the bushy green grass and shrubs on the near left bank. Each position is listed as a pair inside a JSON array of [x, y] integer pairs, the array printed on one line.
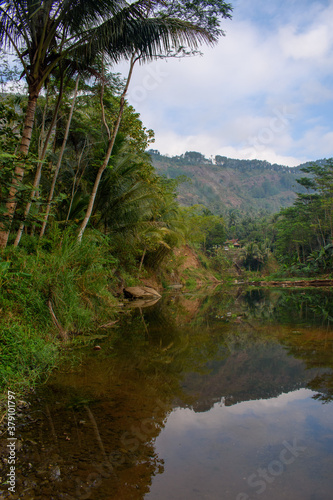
[[75, 281]]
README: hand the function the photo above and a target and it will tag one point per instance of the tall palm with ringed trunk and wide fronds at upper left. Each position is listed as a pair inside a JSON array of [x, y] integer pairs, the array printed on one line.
[[45, 32]]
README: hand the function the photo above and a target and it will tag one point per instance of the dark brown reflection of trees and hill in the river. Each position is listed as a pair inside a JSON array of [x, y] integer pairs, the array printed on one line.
[[233, 343]]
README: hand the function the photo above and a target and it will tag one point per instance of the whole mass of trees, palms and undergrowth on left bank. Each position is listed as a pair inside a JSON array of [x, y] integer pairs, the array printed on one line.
[[73, 161]]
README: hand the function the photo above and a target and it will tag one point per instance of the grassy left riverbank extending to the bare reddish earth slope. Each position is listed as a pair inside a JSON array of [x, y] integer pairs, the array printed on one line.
[[58, 295]]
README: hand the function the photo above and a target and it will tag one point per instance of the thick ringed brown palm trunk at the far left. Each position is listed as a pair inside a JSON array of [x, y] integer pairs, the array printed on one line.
[[20, 168]]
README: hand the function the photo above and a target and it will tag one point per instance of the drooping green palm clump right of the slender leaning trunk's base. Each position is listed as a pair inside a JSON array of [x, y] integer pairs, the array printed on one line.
[[136, 206]]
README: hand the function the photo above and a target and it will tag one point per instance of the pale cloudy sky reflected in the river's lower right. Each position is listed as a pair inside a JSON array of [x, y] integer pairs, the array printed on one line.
[[227, 451]]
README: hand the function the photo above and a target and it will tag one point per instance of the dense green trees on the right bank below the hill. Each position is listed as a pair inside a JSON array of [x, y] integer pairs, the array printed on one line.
[[300, 236]]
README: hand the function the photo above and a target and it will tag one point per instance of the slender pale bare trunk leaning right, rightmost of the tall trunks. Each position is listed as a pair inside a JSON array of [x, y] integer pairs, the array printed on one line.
[[111, 142]]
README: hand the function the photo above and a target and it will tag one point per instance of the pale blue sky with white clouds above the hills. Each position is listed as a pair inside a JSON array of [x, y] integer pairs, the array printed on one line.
[[265, 91]]
